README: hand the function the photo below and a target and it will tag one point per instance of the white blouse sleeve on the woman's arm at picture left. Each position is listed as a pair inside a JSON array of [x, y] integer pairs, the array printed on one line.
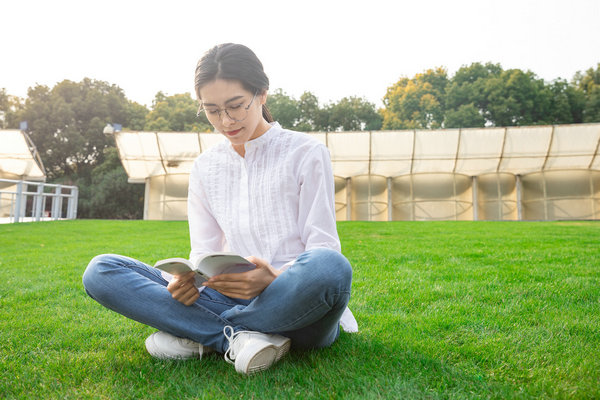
[[206, 235]]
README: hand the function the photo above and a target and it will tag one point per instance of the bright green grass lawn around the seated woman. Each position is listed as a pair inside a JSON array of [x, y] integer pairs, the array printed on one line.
[[446, 309]]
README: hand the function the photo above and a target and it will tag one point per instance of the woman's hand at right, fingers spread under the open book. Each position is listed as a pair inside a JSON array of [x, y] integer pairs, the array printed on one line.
[[245, 285]]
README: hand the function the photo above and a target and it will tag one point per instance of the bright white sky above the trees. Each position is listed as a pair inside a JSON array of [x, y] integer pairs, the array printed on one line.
[[329, 47]]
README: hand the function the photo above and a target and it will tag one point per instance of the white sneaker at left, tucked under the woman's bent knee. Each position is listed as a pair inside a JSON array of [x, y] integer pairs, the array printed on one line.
[[165, 346]]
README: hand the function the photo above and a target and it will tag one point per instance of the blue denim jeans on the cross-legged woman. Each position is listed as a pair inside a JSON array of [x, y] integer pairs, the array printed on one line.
[[304, 303]]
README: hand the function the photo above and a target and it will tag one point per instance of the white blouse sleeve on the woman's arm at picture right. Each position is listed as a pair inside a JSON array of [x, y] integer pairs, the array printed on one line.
[[316, 216]]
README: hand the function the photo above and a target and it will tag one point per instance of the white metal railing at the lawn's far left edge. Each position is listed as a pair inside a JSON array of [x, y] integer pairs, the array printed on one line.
[[20, 204]]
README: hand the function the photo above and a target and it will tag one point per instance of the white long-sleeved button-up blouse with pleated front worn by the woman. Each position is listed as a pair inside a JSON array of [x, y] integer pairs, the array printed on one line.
[[274, 203]]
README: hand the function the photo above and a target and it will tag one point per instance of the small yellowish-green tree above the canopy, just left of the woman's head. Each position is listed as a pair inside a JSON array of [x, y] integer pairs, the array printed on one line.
[[176, 113]]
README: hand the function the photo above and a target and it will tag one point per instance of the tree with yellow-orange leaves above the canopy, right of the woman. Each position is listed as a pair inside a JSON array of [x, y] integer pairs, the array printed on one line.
[[416, 103]]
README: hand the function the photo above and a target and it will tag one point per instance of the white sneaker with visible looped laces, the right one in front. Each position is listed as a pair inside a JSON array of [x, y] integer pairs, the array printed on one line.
[[254, 351]]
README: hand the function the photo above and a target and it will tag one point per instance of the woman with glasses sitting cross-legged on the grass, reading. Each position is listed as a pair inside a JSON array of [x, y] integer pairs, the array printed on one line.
[[265, 193]]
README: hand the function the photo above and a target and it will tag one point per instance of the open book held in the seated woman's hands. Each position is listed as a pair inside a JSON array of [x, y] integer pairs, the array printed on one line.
[[207, 266]]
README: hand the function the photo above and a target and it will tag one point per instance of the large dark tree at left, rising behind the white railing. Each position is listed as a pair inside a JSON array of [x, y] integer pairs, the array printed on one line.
[[66, 123]]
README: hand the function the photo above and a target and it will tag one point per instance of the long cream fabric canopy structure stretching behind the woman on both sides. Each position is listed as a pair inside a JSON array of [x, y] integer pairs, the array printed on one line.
[[514, 173]]
